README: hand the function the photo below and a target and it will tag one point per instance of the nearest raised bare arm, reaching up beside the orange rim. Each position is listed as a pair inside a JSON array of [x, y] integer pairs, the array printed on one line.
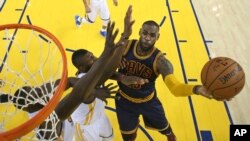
[[84, 86]]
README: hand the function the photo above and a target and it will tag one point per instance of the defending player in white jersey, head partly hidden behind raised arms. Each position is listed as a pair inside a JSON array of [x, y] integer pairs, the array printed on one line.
[[90, 120]]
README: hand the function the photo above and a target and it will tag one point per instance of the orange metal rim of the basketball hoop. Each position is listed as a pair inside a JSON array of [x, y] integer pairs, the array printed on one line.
[[32, 123]]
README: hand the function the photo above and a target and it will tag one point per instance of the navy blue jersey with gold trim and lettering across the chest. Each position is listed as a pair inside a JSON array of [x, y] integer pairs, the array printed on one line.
[[141, 66]]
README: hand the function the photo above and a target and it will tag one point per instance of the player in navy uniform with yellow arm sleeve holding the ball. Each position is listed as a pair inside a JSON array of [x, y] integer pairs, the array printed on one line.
[[143, 59]]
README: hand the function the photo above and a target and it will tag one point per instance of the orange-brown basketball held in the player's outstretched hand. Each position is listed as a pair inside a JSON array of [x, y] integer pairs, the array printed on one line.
[[223, 77]]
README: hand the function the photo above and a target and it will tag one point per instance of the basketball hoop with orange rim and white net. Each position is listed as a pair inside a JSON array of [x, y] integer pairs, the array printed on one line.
[[27, 44]]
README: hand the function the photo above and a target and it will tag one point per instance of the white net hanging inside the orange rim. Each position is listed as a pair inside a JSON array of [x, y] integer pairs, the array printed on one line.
[[27, 58]]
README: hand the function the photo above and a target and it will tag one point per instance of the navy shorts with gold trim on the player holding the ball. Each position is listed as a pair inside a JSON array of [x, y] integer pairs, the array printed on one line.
[[128, 115]]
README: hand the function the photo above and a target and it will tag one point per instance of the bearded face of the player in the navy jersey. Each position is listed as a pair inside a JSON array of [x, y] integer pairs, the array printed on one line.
[[149, 34]]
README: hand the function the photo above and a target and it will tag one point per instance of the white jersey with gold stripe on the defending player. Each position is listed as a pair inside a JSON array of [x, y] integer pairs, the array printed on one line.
[[91, 122]]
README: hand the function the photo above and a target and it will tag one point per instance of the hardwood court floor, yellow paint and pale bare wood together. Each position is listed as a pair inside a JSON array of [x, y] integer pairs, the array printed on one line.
[[182, 38]]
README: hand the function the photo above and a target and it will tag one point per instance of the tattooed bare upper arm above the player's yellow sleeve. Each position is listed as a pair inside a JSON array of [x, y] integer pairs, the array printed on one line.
[[164, 66]]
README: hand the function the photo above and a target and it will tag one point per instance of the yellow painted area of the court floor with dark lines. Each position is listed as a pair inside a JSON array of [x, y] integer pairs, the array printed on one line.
[[192, 118]]
